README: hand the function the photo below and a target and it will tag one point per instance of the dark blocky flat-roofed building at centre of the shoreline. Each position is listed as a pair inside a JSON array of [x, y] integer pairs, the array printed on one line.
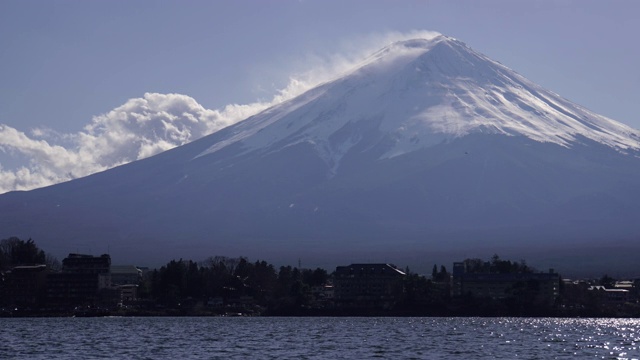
[[377, 286]]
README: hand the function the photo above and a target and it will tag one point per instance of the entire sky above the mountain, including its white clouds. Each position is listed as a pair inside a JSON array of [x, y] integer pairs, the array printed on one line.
[[71, 71]]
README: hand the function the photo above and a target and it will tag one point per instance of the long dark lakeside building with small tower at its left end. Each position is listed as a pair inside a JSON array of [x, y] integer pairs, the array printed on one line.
[[541, 288]]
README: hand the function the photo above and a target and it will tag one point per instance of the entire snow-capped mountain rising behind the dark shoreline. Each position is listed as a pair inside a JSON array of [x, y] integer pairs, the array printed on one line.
[[426, 152]]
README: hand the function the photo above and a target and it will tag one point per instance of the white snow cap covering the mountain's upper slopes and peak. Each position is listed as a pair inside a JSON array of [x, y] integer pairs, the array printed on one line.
[[421, 93]]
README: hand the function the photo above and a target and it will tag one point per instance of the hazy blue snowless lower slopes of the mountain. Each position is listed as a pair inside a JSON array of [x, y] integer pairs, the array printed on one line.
[[472, 196]]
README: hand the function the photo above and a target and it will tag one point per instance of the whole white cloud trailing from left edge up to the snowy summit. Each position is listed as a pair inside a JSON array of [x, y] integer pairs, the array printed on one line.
[[145, 126]]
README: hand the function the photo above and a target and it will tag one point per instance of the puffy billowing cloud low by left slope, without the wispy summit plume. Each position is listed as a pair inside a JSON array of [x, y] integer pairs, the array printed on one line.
[[139, 128]]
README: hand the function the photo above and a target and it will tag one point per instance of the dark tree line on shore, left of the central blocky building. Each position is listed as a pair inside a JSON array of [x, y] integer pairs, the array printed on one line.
[[232, 279]]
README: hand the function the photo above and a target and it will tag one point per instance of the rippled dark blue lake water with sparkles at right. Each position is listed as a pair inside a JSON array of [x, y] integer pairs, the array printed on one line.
[[318, 338]]
